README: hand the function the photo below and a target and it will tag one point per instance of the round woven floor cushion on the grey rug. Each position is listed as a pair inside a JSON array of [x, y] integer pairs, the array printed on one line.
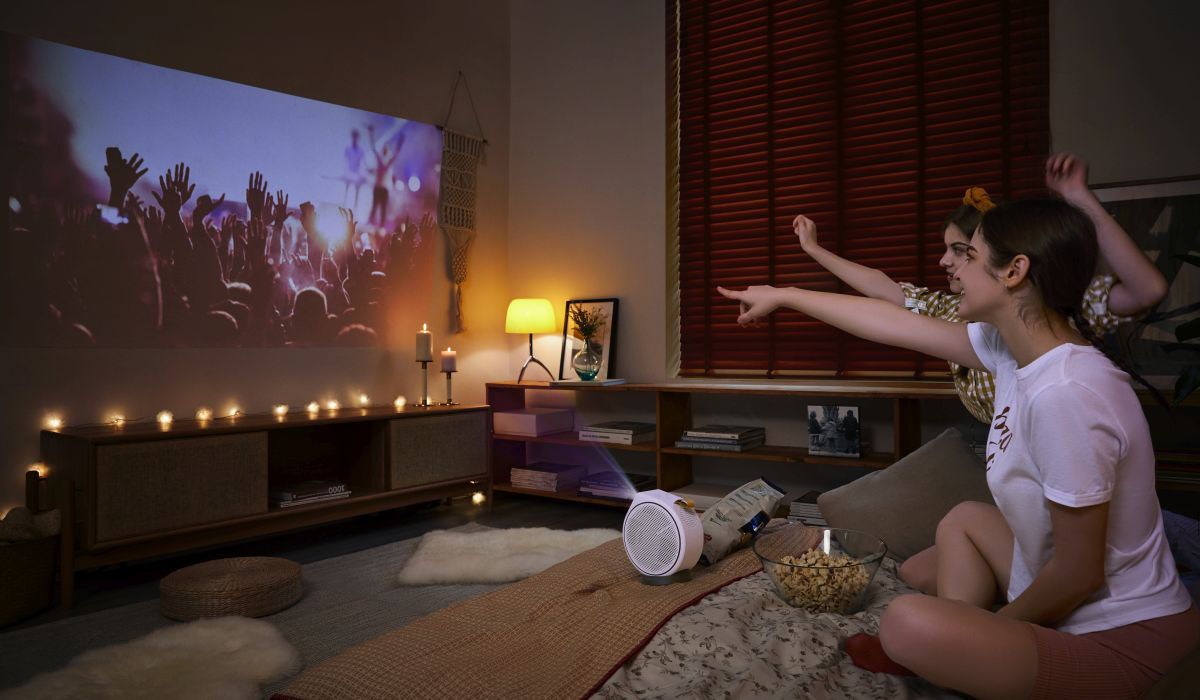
[[247, 587]]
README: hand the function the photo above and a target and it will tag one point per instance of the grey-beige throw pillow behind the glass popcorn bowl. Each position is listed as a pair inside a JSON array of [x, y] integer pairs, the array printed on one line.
[[904, 504]]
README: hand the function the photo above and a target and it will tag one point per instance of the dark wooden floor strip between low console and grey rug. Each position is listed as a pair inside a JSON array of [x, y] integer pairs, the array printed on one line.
[[133, 583]]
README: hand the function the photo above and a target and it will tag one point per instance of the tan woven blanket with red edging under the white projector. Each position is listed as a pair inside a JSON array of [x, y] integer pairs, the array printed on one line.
[[557, 635]]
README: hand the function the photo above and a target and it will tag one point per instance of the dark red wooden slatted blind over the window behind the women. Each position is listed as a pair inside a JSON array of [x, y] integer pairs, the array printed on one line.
[[872, 118]]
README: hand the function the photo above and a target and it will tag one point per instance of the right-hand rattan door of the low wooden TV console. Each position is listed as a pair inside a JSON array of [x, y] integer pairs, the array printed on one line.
[[437, 448]]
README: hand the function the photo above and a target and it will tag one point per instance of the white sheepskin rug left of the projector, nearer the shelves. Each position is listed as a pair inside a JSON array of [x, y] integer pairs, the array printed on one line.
[[496, 557]]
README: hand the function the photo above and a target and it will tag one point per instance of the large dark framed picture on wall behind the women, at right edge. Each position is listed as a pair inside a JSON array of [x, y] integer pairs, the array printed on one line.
[[1163, 218]]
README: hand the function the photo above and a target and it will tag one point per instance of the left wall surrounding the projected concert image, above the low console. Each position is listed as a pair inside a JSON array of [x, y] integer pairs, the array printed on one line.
[[397, 58]]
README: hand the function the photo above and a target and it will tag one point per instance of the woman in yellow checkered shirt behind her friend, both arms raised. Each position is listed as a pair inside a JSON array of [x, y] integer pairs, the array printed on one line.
[[1135, 288]]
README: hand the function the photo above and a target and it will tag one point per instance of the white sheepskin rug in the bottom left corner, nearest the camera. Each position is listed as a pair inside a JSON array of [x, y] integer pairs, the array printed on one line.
[[209, 660]]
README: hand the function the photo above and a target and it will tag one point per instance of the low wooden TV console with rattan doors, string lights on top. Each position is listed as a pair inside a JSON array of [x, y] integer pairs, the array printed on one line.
[[143, 490]]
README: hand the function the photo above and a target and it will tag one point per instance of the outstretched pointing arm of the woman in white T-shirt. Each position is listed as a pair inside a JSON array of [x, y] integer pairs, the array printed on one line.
[[868, 319]]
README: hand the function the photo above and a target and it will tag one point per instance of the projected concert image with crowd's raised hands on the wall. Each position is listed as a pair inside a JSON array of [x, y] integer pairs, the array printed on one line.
[[154, 208]]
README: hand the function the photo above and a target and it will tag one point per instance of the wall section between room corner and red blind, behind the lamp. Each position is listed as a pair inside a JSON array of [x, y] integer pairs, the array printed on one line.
[[589, 166]]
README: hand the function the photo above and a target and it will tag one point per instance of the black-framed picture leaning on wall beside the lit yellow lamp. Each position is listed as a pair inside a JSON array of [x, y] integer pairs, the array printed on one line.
[[590, 340]]
